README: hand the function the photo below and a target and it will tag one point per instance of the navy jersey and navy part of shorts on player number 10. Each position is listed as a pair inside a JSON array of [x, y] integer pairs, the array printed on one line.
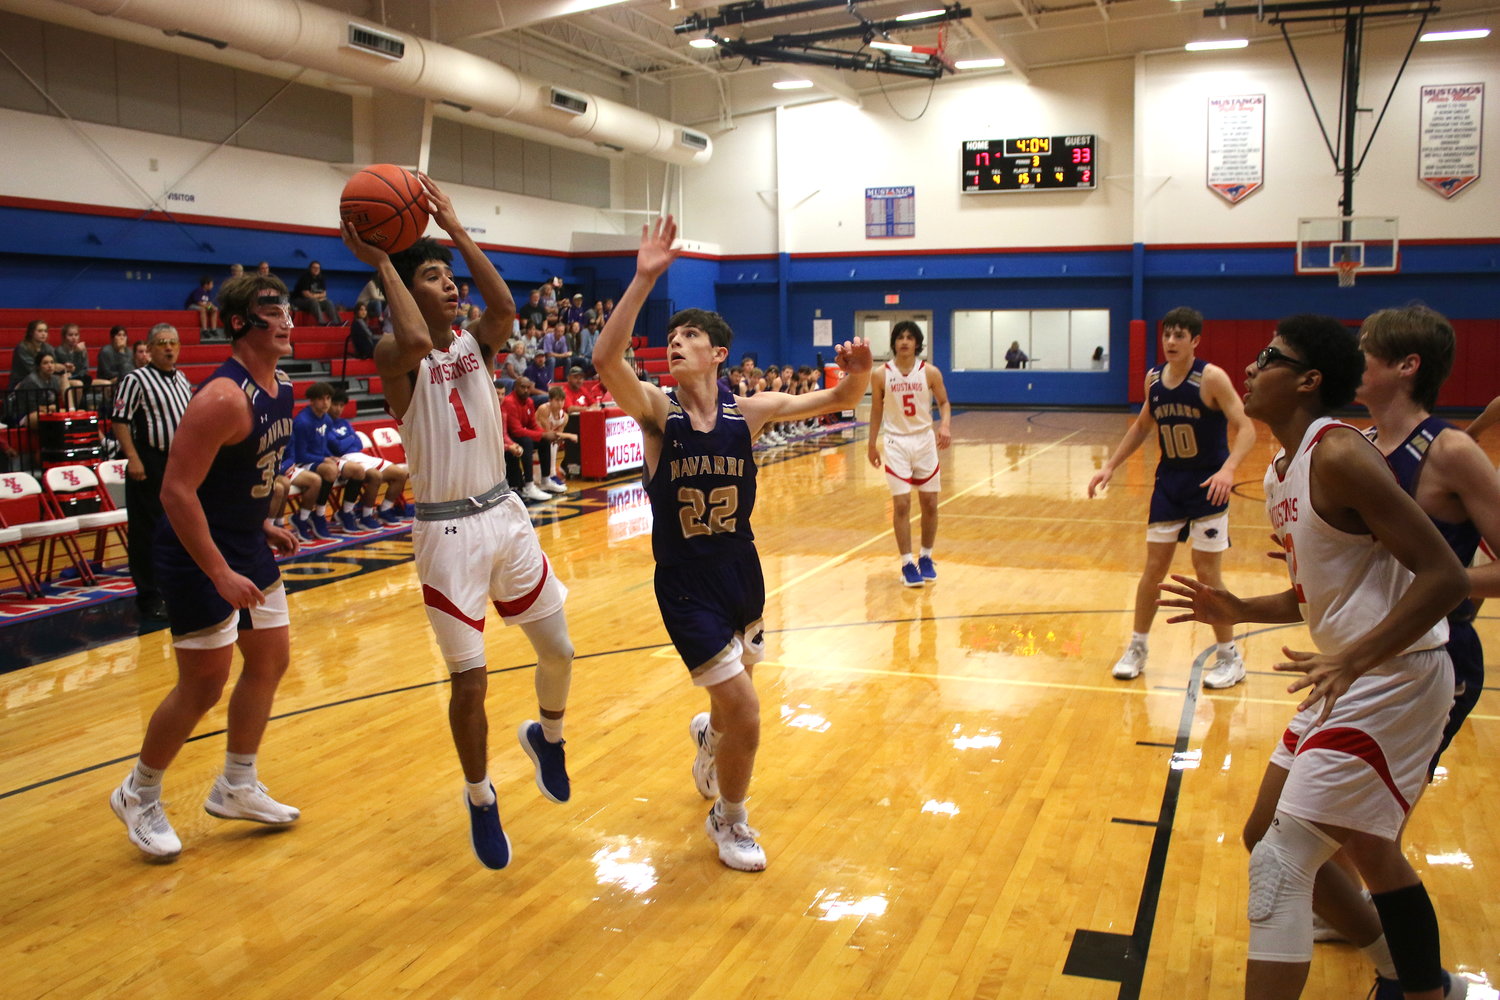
[[1195, 445]]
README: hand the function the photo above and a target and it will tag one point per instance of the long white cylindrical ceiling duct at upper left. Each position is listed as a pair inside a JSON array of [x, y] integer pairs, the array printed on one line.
[[319, 38]]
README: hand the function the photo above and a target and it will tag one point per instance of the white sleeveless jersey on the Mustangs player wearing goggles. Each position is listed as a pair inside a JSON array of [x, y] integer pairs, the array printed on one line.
[[1346, 584]]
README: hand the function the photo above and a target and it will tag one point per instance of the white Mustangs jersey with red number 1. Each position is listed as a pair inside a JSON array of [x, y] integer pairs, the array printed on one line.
[[452, 428]]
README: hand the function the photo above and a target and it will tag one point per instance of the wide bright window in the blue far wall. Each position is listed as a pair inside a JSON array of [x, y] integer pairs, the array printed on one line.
[[1052, 340]]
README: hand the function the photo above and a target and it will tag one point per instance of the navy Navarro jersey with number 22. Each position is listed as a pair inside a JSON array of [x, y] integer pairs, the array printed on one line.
[[703, 490]]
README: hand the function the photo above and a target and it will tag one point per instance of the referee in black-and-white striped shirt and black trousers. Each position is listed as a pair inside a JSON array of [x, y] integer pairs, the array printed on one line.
[[149, 404]]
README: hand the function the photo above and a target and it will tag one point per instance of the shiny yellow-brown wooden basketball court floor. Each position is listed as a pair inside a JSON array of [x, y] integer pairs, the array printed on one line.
[[955, 795]]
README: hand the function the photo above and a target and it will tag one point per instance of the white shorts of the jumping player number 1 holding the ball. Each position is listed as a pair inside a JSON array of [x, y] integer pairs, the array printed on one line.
[[466, 563]]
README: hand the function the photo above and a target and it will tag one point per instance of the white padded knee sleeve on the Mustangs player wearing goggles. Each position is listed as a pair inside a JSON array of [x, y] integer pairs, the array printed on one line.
[[1282, 870]]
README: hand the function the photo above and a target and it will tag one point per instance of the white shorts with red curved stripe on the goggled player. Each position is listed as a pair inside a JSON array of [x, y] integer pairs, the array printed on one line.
[[1367, 765]]
